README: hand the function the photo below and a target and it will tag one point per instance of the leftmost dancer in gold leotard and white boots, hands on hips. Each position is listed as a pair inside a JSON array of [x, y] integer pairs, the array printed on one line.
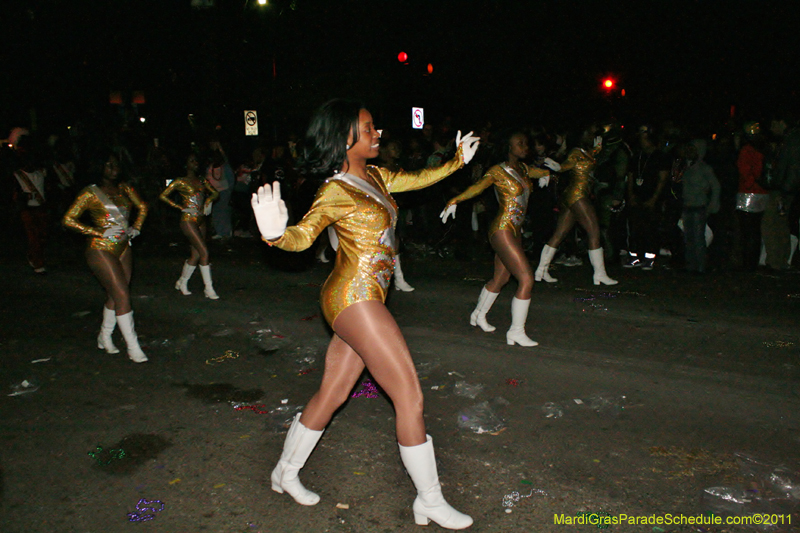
[[108, 252]]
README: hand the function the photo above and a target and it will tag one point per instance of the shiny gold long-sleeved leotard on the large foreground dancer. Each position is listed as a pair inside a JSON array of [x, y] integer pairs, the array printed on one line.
[[365, 230]]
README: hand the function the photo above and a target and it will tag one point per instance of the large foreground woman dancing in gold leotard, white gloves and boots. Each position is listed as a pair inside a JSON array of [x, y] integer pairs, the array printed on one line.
[[356, 202]]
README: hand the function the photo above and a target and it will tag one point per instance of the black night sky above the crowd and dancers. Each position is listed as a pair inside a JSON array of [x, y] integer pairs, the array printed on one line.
[[531, 61]]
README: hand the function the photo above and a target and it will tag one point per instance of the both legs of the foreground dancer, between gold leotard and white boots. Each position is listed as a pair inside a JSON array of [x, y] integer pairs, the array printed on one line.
[[374, 337]]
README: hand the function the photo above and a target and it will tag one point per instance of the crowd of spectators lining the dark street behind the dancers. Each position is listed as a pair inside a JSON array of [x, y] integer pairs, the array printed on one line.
[[665, 197]]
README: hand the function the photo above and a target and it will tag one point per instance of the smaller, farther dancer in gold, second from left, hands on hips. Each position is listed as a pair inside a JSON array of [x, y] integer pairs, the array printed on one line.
[[193, 190]]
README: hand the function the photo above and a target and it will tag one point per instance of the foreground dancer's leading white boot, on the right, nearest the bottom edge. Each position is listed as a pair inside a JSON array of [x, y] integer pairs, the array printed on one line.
[[420, 463]]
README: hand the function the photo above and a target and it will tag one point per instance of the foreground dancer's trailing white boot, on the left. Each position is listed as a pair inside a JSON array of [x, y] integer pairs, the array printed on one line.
[[300, 442]]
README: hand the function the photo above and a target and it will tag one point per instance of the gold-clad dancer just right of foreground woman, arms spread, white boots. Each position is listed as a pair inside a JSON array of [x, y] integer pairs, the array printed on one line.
[[512, 184]]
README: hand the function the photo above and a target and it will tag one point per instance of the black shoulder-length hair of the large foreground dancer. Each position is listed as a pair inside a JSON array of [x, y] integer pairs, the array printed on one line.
[[326, 139]]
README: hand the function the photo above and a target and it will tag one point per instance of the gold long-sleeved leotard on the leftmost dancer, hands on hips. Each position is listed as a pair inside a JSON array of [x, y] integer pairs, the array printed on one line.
[[103, 219]]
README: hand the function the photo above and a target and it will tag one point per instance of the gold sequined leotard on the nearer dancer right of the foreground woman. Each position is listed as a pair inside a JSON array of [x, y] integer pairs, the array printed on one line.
[[512, 192]]
